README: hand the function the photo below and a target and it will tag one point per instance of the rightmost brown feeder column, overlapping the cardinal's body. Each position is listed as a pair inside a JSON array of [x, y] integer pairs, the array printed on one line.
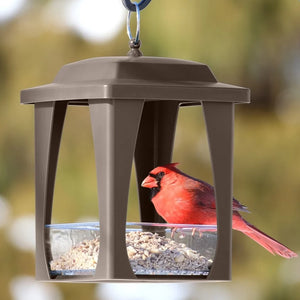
[[219, 118]]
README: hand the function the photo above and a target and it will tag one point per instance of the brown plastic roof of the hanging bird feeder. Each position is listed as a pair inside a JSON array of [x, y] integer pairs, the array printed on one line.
[[147, 78]]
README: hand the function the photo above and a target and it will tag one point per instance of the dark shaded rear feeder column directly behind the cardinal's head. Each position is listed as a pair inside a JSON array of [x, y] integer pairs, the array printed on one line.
[[154, 148]]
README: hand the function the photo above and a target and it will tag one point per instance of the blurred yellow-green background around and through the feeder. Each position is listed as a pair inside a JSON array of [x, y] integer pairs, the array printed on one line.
[[254, 43]]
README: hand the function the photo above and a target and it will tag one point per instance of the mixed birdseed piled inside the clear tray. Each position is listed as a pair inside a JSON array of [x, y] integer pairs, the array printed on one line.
[[148, 253]]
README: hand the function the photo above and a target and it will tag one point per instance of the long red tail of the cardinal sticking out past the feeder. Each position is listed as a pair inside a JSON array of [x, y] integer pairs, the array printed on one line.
[[267, 242]]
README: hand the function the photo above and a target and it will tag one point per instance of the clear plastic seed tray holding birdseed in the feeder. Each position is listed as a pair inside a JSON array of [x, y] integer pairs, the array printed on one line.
[[152, 248]]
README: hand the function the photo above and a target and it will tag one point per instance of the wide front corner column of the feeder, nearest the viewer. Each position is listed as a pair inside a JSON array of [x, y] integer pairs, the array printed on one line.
[[115, 125]]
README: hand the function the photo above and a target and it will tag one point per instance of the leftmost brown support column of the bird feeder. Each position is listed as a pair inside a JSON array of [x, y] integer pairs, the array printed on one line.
[[49, 120]]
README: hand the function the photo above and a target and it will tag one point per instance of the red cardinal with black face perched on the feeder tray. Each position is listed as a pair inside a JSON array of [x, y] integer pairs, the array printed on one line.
[[182, 199]]
